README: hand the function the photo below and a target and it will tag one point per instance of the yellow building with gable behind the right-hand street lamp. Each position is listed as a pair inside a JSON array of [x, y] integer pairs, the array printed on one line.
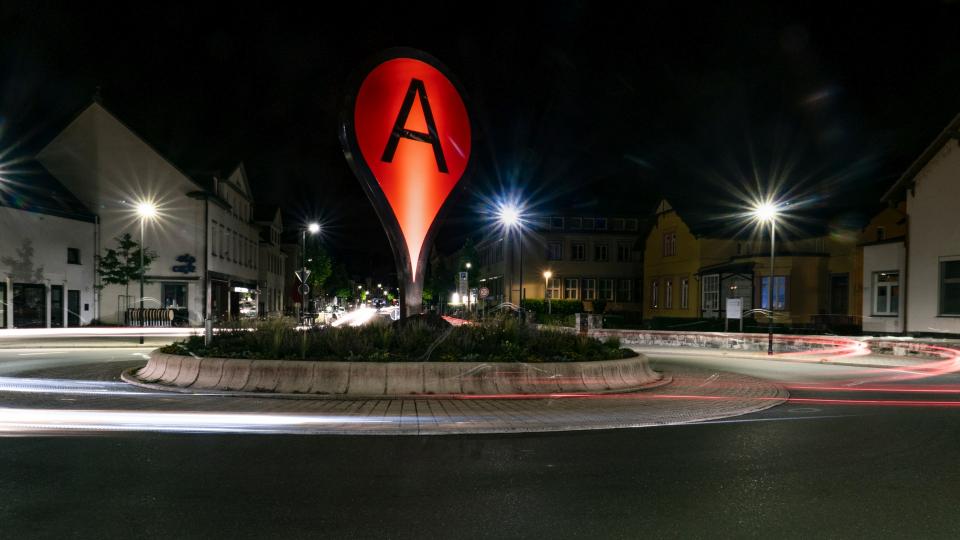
[[691, 272]]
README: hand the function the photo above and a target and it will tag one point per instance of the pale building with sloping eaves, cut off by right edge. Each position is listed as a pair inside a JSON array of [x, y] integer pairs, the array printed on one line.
[[931, 188]]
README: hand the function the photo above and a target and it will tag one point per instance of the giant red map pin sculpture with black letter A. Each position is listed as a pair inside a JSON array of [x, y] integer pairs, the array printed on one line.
[[407, 136]]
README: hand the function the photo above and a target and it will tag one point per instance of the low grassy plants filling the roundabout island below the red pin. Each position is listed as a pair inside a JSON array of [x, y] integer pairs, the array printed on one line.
[[501, 340]]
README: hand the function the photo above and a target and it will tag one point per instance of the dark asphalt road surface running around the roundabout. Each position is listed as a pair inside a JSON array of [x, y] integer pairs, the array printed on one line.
[[799, 470]]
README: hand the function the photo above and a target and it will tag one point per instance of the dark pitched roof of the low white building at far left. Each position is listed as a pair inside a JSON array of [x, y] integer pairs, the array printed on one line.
[[29, 186]]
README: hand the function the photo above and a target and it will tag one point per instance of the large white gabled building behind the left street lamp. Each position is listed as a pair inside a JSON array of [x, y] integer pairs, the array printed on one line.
[[204, 235]]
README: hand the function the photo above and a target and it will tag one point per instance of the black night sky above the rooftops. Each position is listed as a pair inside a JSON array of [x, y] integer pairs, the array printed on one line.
[[583, 106]]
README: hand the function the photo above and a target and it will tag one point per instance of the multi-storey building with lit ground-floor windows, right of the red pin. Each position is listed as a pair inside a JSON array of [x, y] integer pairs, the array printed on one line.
[[588, 257]]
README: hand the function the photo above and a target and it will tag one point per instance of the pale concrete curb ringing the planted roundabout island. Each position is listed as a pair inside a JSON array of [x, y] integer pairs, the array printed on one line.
[[417, 380]]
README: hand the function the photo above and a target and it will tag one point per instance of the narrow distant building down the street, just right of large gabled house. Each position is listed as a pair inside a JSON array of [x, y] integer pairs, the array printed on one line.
[[273, 261]]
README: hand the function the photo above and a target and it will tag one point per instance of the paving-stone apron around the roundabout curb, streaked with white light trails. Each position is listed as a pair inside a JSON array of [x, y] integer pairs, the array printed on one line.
[[692, 396]]
